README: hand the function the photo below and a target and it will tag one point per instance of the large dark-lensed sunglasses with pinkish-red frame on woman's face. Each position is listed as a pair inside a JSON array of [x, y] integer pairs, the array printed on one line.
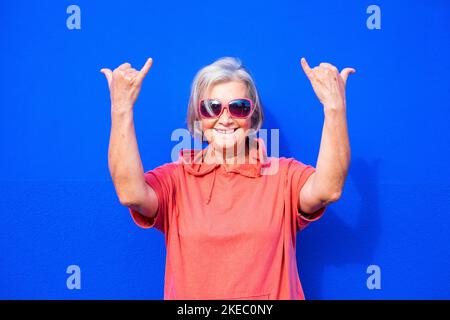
[[240, 108]]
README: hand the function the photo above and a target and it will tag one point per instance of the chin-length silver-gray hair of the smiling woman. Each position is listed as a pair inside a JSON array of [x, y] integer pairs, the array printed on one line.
[[222, 70]]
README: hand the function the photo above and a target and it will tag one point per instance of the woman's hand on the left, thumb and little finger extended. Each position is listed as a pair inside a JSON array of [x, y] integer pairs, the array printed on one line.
[[124, 84]]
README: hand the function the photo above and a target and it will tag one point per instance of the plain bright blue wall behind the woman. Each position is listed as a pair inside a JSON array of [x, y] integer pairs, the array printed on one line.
[[58, 205]]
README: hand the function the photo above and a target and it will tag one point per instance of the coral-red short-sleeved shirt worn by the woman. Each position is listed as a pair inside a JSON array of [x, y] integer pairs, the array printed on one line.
[[230, 233]]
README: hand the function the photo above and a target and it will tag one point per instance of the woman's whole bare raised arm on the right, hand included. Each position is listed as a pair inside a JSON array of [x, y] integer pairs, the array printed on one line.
[[325, 185]]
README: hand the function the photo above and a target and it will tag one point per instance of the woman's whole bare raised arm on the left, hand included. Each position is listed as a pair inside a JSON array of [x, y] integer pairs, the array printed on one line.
[[124, 161]]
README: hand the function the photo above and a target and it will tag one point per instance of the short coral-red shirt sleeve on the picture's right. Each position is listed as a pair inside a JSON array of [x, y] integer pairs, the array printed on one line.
[[298, 174]]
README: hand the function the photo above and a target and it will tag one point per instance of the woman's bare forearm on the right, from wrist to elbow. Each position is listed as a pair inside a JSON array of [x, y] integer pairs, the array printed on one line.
[[334, 155]]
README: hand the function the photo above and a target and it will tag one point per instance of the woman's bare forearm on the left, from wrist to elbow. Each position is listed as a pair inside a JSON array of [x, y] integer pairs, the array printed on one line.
[[123, 158]]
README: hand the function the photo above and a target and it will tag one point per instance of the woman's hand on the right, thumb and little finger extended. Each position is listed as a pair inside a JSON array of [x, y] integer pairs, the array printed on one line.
[[328, 84]]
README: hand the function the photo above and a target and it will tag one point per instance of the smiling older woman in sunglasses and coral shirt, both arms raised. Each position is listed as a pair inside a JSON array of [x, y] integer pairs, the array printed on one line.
[[229, 219]]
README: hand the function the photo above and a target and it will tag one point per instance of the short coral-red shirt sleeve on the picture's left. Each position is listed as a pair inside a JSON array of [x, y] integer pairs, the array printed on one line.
[[162, 181]]
